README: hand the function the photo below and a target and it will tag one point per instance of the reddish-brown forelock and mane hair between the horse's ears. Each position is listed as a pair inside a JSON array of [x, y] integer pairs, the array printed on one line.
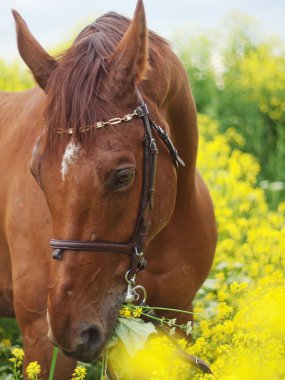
[[74, 99]]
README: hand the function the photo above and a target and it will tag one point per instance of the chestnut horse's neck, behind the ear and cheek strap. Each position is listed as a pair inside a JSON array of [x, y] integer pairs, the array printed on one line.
[[168, 86]]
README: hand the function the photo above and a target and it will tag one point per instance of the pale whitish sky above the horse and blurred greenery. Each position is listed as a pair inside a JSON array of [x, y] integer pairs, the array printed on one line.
[[51, 21]]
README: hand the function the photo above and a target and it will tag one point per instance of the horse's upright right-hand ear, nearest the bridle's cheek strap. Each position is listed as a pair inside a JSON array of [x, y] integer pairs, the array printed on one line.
[[130, 59]]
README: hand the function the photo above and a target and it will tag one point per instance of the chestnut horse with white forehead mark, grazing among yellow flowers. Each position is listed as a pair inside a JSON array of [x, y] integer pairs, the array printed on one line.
[[88, 188]]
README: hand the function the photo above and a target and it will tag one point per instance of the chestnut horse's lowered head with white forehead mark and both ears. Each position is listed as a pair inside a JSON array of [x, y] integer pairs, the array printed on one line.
[[90, 168]]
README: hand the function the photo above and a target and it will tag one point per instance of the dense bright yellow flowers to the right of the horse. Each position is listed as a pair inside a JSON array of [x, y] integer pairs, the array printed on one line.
[[244, 297]]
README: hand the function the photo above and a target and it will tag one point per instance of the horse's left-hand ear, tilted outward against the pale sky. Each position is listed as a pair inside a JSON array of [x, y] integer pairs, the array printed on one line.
[[36, 58]]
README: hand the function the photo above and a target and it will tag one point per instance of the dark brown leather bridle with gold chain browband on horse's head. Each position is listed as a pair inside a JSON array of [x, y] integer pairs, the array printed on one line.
[[134, 248]]
